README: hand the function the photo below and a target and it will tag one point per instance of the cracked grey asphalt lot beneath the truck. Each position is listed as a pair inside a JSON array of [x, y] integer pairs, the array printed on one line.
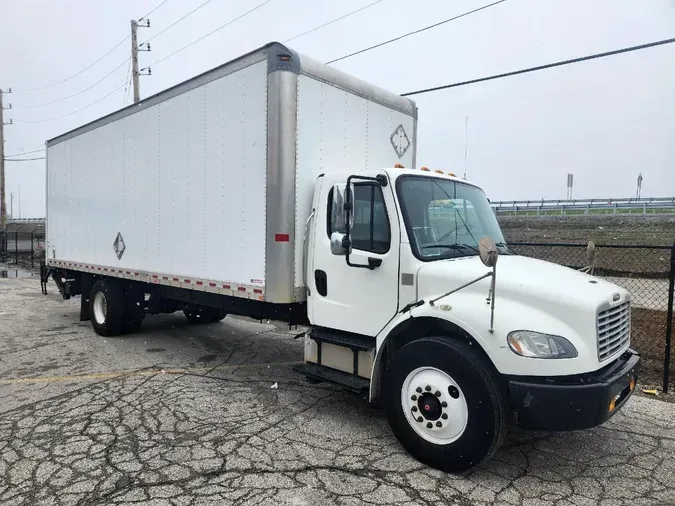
[[186, 415]]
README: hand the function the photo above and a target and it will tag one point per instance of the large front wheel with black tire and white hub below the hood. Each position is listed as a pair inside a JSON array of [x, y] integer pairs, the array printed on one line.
[[444, 405]]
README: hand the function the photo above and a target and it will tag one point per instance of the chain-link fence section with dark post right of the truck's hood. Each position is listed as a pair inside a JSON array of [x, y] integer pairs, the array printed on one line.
[[647, 272]]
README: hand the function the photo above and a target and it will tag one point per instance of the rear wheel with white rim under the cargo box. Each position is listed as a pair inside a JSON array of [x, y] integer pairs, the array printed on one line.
[[107, 307]]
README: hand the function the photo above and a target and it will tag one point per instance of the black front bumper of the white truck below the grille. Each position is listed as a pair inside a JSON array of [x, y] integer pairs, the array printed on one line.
[[573, 402]]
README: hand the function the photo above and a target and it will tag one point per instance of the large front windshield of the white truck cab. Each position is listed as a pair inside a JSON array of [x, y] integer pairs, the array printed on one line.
[[445, 218]]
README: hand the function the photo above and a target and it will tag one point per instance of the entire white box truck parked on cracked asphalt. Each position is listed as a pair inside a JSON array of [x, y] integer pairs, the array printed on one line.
[[280, 188]]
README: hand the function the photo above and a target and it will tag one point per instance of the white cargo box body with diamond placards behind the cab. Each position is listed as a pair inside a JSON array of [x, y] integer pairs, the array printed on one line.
[[208, 184]]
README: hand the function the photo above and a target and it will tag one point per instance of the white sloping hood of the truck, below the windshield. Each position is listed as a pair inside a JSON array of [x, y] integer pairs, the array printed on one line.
[[527, 280]]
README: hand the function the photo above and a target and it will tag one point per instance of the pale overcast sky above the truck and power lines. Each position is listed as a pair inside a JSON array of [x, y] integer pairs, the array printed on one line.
[[604, 121]]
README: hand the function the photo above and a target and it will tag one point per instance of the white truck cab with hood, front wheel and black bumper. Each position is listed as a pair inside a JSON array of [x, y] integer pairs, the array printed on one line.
[[402, 301]]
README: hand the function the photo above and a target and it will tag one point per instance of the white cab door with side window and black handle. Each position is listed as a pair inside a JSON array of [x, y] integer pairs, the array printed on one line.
[[356, 292]]
